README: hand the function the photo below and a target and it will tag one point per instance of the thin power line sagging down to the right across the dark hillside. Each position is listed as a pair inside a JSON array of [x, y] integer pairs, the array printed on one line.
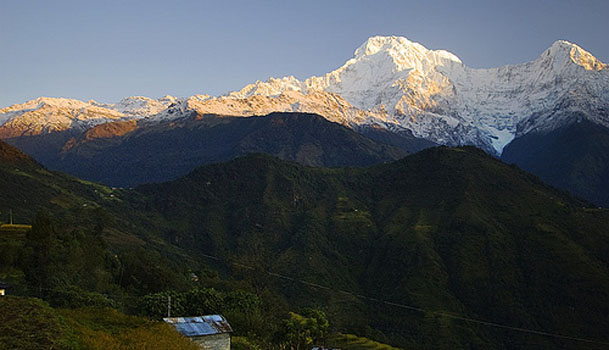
[[414, 308]]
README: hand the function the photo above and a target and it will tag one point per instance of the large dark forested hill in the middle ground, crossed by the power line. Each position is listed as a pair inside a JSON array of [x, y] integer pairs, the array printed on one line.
[[446, 229]]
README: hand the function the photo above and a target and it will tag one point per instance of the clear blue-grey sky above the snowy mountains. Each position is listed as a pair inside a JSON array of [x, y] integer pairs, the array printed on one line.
[[106, 50]]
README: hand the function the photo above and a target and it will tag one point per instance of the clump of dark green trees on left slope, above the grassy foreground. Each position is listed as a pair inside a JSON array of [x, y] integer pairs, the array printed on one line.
[[75, 267]]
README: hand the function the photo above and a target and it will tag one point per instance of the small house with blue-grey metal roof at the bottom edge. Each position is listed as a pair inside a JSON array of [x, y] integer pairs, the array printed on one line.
[[211, 332]]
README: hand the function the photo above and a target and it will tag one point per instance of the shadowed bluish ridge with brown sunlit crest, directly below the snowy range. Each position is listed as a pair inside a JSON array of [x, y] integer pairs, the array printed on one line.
[[127, 154]]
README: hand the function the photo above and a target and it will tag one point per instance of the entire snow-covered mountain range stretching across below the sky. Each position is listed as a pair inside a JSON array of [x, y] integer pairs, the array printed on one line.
[[390, 82]]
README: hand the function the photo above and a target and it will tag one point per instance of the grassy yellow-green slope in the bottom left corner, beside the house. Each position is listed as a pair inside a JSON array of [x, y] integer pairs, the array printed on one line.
[[28, 323]]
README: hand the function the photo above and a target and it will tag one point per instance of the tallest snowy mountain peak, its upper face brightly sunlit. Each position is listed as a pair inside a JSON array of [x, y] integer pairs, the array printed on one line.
[[387, 70]]
